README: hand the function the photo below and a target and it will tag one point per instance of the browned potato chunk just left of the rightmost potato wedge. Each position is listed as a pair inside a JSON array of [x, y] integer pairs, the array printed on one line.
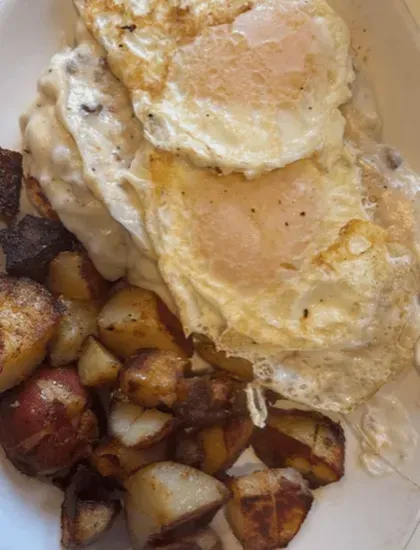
[[216, 448]]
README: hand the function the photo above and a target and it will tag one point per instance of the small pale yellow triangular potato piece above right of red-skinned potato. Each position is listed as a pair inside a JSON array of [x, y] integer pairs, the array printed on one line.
[[97, 366]]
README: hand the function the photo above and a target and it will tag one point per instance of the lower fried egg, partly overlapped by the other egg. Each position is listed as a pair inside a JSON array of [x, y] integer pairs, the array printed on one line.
[[288, 271]]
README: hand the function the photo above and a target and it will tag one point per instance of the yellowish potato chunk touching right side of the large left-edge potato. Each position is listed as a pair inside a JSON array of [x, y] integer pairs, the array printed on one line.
[[78, 321]]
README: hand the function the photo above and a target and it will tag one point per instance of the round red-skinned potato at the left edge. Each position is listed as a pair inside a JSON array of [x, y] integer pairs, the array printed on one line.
[[47, 422]]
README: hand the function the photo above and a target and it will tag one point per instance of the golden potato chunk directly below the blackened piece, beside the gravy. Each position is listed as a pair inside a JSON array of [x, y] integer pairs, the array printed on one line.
[[73, 275]]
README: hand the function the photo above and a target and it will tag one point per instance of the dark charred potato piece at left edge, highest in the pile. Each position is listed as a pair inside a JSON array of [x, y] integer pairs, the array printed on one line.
[[10, 184]]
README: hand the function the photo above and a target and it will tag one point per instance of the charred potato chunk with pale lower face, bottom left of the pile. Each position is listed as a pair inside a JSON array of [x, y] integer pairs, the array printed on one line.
[[88, 510]]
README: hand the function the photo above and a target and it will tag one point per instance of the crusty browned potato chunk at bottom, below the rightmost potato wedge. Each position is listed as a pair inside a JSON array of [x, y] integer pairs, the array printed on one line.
[[267, 508]]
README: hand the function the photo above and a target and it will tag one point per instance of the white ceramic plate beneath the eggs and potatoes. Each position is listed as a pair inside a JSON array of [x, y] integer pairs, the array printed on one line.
[[359, 513]]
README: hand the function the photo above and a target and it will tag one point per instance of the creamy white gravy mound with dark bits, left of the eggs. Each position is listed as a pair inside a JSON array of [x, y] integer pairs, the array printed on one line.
[[80, 138]]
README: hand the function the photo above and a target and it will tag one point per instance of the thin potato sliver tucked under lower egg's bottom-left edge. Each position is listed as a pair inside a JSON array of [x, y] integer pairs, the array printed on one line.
[[238, 368]]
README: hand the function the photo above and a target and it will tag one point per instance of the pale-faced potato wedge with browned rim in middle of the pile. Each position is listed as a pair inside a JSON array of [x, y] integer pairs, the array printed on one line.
[[135, 426]]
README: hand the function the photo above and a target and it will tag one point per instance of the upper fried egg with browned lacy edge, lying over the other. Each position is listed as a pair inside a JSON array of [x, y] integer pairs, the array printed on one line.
[[244, 85]]
